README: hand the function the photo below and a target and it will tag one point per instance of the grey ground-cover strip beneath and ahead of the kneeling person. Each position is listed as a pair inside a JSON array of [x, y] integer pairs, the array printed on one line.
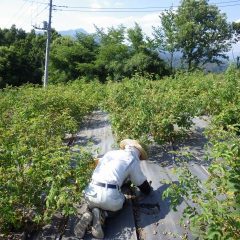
[[96, 135]]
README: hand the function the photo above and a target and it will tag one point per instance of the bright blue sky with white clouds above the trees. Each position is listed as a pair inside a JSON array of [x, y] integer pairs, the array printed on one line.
[[25, 13]]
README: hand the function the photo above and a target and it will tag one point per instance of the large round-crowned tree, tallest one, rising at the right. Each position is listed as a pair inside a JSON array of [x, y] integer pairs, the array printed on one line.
[[203, 33]]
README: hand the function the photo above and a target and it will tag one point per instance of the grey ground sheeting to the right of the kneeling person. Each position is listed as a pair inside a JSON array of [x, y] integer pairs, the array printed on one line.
[[163, 223]]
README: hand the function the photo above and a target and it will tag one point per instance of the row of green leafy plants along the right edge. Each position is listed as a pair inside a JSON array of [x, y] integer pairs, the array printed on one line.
[[216, 210]]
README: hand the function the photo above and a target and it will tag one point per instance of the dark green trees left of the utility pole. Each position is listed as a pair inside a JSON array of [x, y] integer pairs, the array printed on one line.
[[21, 57]]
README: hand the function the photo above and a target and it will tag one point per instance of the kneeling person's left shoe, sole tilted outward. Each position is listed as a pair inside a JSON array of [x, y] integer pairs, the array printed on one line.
[[82, 225]]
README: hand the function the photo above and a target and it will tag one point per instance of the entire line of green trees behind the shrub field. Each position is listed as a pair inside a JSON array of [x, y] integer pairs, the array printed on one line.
[[197, 32]]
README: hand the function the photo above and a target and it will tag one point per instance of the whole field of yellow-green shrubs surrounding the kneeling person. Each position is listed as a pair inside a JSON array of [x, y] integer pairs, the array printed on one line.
[[37, 177]]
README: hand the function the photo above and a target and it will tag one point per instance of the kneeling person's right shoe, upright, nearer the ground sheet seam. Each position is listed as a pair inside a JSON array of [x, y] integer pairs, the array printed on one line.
[[98, 221]]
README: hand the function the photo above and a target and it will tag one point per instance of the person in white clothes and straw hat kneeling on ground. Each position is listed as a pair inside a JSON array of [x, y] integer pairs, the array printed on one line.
[[103, 194]]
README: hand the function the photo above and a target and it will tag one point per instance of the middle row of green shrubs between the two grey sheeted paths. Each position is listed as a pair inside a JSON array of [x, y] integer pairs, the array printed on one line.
[[142, 108]]
